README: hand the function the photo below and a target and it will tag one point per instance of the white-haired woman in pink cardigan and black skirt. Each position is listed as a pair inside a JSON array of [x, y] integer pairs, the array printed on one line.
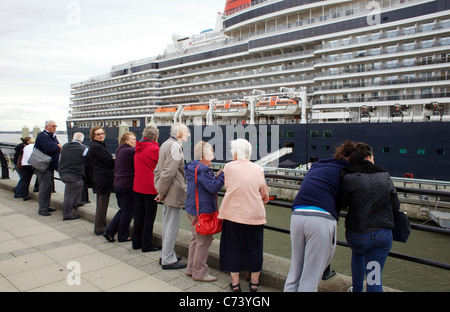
[[244, 216]]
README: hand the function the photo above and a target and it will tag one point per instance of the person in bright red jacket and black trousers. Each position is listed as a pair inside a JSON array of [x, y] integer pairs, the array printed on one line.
[[145, 206]]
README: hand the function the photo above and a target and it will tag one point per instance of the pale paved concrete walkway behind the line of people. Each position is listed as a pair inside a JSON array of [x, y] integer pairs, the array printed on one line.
[[39, 253]]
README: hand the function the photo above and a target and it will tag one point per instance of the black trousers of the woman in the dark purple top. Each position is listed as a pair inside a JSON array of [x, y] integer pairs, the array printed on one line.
[[120, 224]]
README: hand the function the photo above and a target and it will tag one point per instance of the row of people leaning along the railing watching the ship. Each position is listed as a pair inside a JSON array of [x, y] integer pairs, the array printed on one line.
[[143, 174]]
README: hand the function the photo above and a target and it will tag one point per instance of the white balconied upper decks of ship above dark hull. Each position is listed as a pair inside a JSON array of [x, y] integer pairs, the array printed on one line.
[[390, 71]]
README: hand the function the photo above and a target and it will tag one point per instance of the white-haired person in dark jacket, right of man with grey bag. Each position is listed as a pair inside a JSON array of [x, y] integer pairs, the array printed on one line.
[[71, 171]]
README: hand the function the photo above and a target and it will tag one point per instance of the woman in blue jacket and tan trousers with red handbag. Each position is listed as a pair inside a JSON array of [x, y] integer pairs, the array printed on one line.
[[207, 186]]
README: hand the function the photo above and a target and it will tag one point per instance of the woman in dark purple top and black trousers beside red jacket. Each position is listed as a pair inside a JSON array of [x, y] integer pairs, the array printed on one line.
[[123, 187]]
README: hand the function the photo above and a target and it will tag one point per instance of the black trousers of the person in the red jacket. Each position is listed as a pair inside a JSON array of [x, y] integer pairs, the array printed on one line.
[[145, 208]]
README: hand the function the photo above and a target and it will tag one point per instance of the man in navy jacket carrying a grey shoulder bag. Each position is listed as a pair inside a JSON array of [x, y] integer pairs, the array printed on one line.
[[47, 143]]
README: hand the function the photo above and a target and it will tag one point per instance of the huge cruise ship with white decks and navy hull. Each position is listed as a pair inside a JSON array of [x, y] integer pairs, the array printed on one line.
[[299, 76]]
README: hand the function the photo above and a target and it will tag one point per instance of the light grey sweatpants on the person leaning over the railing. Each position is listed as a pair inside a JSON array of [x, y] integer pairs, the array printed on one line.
[[313, 239]]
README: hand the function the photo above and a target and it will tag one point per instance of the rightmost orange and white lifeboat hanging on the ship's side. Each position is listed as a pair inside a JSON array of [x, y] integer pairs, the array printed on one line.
[[276, 105]]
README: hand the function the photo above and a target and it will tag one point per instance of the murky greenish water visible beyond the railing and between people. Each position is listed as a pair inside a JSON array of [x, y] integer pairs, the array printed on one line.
[[397, 274]]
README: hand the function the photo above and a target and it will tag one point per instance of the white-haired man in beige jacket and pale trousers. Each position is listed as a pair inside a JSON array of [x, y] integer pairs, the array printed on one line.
[[170, 184]]
